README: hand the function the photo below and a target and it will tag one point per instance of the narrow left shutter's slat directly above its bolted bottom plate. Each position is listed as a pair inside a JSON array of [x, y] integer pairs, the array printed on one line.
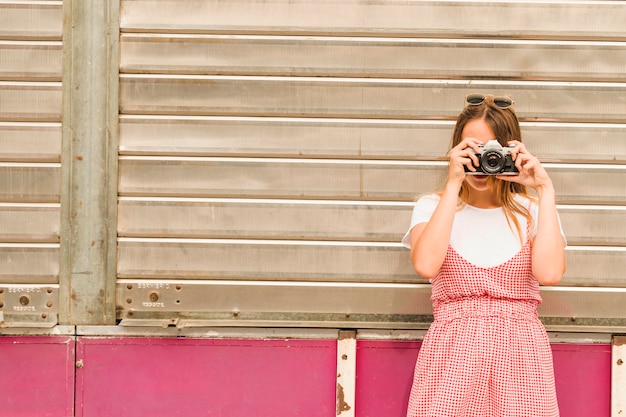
[[29, 263]]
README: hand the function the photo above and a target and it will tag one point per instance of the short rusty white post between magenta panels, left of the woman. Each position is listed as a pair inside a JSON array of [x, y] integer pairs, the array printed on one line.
[[346, 373]]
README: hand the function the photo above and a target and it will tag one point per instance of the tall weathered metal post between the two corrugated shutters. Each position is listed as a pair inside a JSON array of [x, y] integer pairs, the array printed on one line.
[[89, 162]]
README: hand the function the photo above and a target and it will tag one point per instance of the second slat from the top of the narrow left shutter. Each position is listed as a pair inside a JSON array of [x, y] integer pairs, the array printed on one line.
[[21, 60]]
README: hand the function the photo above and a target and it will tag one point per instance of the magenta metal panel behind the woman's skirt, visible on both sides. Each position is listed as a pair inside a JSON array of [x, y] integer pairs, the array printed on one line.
[[385, 372]]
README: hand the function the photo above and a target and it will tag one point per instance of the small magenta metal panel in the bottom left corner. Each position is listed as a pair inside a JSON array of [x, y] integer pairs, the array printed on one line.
[[37, 376]]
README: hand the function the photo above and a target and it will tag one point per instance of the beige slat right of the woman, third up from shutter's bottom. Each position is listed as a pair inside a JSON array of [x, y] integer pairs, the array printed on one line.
[[594, 225]]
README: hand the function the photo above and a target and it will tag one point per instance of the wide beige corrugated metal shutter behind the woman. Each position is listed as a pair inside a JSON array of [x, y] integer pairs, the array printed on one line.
[[270, 151]]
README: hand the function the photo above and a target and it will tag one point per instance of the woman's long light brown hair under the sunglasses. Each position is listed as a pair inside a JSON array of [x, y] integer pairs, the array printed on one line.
[[505, 126]]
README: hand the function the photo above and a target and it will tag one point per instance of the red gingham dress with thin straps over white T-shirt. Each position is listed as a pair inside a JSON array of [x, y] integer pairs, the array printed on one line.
[[486, 353]]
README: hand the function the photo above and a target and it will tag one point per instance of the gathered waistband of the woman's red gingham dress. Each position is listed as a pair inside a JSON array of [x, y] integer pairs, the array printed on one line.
[[485, 307]]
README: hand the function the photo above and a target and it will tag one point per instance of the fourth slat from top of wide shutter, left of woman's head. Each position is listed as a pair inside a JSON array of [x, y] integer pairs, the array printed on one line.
[[250, 136]]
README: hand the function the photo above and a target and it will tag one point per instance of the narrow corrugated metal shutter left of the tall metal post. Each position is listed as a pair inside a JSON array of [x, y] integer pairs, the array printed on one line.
[[30, 148]]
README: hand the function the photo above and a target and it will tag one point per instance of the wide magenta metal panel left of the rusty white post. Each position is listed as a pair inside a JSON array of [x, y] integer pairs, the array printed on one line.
[[205, 377]]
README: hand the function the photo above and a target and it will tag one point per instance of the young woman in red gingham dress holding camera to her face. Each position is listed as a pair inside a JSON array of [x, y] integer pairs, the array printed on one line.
[[487, 246]]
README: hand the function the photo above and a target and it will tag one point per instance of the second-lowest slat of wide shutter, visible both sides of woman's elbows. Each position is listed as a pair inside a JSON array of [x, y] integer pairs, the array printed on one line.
[[272, 260]]
